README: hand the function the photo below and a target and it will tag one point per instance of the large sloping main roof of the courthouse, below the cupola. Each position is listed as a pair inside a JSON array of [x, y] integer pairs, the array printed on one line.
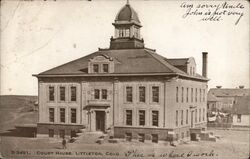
[[126, 61]]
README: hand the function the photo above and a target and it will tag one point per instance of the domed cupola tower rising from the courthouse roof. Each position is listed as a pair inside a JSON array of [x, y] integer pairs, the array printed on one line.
[[127, 30]]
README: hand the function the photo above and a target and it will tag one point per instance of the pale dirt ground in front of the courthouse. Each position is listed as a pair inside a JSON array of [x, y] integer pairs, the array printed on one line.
[[232, 145]]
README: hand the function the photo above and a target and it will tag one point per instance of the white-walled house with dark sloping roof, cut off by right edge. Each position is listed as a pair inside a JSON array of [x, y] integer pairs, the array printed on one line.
[[241, 112]]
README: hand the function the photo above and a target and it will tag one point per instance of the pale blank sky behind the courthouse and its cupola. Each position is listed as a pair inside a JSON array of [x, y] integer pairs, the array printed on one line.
[[39, 35]]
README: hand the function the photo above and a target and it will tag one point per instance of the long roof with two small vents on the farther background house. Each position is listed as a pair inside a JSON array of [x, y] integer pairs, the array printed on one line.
[[229, 92]]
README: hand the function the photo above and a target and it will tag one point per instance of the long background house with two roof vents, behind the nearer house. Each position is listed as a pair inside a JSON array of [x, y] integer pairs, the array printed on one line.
[[222, 99]]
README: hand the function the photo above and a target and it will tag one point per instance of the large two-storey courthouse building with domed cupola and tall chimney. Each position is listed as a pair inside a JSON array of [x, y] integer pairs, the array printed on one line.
[[127, 90]]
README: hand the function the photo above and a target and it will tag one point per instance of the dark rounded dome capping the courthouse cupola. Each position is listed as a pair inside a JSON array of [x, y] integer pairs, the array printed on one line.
[[127, 13]]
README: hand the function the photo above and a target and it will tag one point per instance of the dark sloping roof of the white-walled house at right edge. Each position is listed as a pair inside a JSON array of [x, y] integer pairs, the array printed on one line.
[[241, 105]]
